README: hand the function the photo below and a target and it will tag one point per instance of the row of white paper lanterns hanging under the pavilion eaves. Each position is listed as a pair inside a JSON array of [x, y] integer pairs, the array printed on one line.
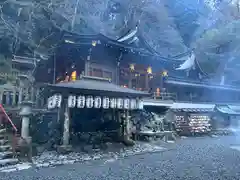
[[73, 101]]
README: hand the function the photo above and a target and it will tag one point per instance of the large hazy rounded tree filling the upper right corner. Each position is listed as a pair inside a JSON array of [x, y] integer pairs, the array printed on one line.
[[217, 42]]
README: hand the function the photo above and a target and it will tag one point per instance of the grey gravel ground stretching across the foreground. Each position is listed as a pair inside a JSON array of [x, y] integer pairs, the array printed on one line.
[[190, 158]]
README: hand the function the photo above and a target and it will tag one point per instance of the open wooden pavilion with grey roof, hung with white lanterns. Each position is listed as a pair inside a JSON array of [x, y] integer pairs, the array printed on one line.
[[94, 110]]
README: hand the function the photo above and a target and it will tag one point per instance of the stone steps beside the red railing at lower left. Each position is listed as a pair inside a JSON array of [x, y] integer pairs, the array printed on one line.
[[6, 150]]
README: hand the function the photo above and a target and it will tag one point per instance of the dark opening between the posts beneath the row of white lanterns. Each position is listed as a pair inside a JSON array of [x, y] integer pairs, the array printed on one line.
[[94, 126]]
